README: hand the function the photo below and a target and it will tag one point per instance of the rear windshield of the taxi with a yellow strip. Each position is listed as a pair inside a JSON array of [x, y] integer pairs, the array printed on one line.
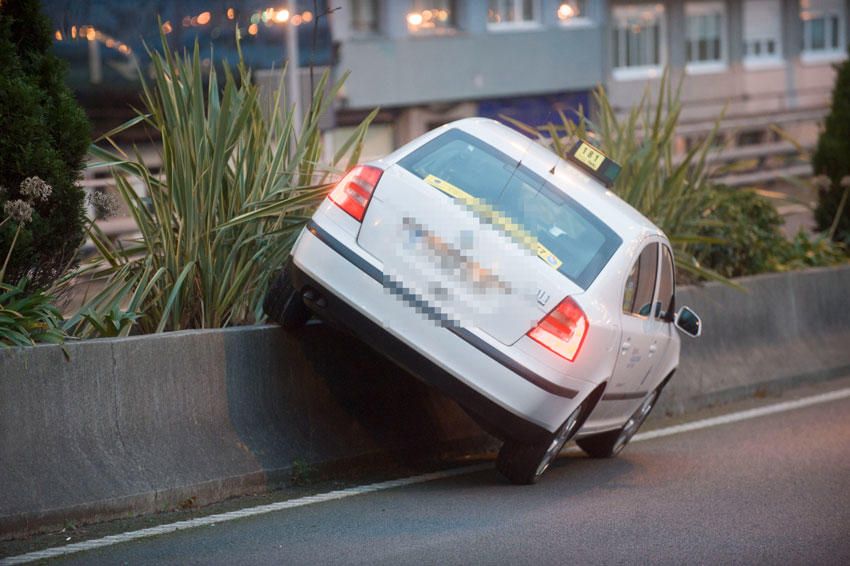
[[563, 233]]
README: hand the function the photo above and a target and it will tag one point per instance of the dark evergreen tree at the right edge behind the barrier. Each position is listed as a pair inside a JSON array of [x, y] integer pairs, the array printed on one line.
[[832, 157]]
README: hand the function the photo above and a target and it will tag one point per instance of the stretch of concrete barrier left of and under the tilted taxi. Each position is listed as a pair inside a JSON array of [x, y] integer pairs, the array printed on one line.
[[145, 424]]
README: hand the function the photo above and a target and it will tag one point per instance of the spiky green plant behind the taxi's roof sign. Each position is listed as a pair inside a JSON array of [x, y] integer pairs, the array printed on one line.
[[674, 192]]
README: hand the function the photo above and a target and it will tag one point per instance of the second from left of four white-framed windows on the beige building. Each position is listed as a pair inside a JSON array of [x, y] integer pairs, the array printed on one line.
[[705, 37]]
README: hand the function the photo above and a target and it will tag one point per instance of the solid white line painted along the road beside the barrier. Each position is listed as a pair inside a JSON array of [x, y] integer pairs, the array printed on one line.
[[381, 486]]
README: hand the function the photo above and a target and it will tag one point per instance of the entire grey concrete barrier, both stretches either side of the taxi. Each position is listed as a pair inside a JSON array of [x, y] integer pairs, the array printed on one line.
[[143, 424]]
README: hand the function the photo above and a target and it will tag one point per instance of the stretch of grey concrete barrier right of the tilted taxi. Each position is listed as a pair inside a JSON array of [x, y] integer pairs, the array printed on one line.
[[787, 329]]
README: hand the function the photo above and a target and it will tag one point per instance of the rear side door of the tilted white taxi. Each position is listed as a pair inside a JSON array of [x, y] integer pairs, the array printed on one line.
[[642, 332]]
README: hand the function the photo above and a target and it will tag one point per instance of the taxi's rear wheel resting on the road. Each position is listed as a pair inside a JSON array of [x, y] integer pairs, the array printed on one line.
[[524, 464]]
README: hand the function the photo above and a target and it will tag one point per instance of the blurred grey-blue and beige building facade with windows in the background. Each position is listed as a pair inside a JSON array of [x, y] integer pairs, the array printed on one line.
[[426, 62]]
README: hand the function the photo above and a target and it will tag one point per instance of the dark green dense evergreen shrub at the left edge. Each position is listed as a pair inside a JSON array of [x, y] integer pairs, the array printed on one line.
[[43, 132]]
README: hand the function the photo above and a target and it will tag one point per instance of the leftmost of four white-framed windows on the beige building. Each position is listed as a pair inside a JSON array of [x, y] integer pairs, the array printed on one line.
[[638, 39]]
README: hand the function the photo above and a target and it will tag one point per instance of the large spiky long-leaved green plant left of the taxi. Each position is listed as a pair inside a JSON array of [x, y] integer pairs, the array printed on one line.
[[237, 184]]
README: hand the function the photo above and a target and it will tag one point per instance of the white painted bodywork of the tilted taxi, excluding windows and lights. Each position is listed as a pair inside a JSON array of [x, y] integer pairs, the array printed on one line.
[[481, 340]]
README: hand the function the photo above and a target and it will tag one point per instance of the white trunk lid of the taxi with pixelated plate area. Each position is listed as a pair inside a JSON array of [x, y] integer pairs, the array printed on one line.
[[456, 260]]
